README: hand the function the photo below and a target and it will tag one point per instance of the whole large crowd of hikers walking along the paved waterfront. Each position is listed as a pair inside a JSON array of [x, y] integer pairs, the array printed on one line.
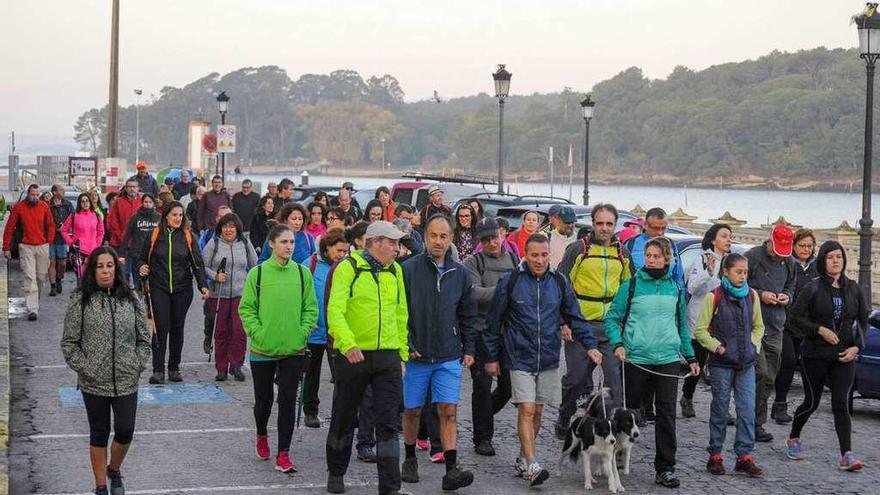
[[401, 302]]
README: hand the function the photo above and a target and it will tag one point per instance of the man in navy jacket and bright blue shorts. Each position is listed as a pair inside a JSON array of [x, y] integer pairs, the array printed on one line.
[[442, 327]]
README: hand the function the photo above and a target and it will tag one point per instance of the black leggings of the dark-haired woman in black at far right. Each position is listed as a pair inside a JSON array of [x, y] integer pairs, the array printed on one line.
[[840, 378]]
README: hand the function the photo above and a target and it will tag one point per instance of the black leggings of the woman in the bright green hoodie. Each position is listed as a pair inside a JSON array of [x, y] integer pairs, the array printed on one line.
[[263, 373]]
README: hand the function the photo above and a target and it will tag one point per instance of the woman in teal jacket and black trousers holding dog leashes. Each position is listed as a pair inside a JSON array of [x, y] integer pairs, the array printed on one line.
[[647, 329]]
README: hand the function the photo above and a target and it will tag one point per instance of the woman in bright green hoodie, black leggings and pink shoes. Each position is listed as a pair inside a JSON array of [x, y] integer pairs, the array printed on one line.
[[279, 311]]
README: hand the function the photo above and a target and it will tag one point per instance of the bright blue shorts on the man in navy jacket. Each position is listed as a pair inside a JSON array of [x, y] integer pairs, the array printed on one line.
[[443, 378]]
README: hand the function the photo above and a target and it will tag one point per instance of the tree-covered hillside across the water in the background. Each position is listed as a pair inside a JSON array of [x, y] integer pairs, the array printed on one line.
[[784, 114]]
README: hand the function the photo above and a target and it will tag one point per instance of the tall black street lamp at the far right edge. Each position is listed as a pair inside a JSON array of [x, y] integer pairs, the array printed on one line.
[[868, 25]]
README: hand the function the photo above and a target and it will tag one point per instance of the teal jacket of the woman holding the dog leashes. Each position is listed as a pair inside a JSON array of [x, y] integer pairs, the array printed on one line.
[[652, 334]]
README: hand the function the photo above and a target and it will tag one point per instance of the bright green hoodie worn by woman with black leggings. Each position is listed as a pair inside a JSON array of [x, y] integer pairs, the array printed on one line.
[[279, 323]]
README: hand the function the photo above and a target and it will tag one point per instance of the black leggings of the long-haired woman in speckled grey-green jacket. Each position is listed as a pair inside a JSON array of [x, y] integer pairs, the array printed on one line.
[[98, 411]]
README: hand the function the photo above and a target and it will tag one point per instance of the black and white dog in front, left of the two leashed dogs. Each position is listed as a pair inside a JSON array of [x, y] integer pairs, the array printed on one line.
[[592, 437]]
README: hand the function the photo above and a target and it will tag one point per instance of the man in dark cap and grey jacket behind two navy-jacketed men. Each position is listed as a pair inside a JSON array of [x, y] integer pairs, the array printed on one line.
[[485, 269]]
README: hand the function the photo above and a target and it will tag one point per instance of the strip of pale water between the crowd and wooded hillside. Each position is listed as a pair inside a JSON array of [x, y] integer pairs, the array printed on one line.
[[811, 209]]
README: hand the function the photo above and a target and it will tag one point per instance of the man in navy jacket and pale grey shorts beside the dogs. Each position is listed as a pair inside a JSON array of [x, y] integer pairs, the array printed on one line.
[[538, 308]]
